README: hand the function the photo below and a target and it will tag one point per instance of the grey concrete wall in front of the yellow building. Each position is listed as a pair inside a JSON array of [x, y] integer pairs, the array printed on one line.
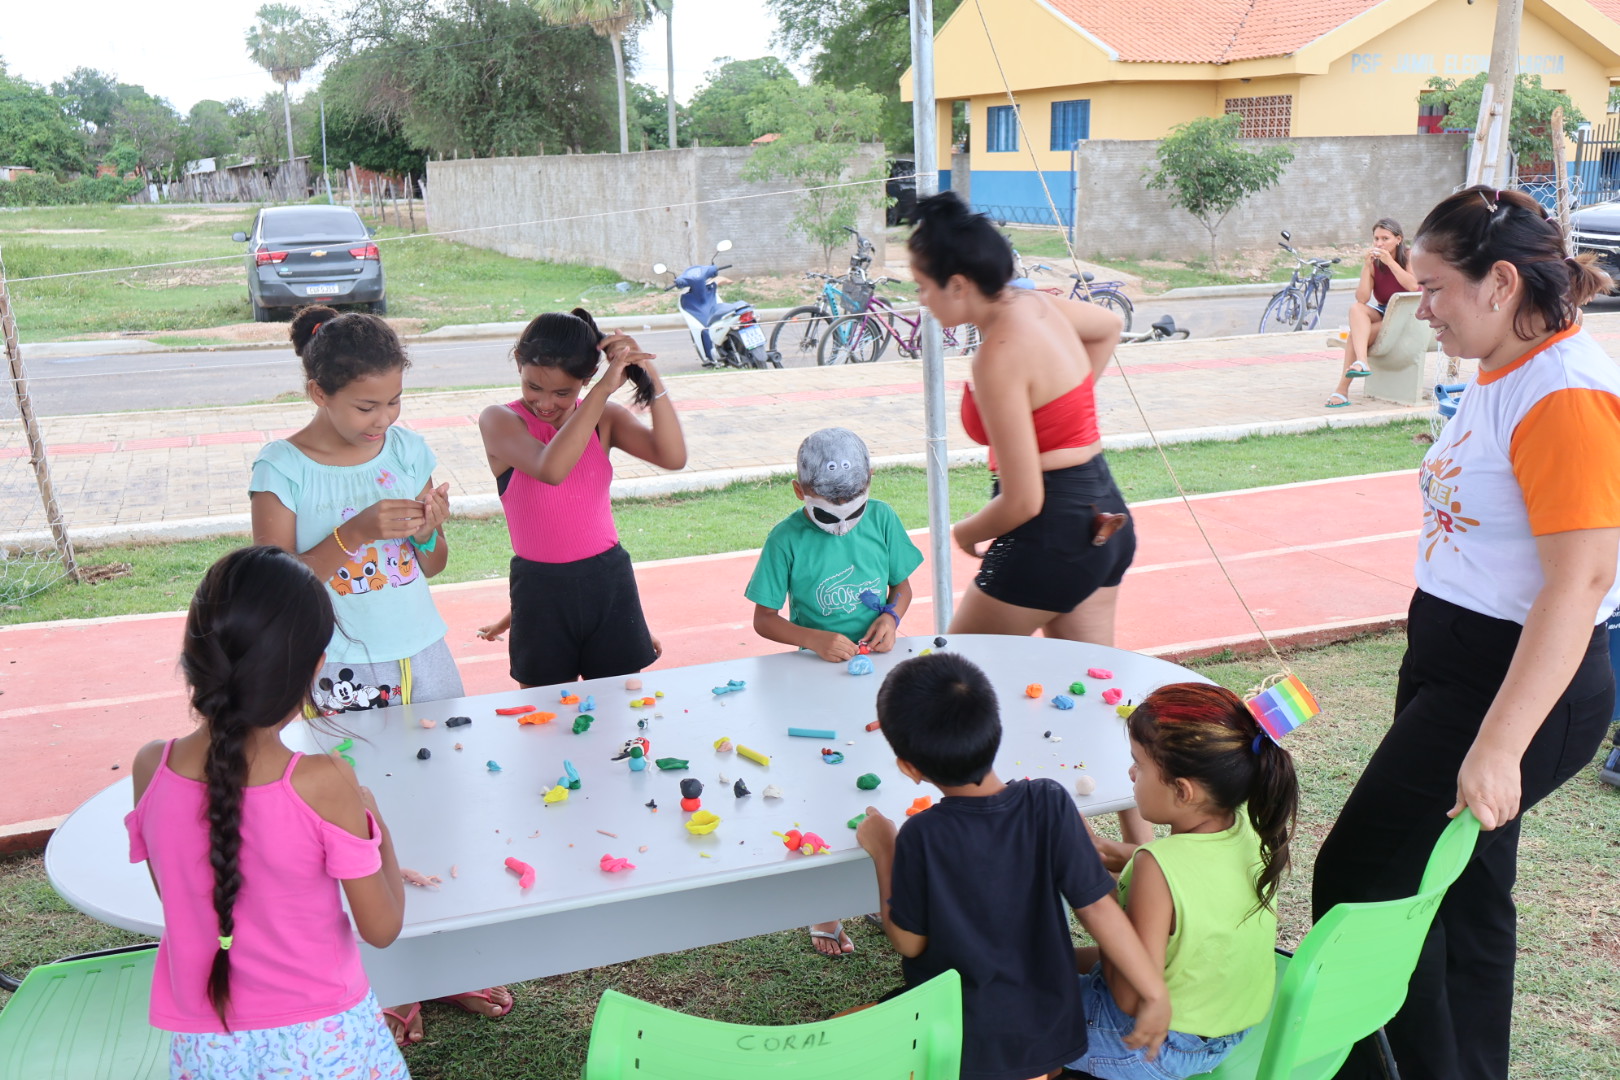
[[1331, 195]]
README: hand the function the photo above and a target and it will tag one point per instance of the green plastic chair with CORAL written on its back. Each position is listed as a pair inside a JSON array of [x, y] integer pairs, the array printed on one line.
[[916, 1035]]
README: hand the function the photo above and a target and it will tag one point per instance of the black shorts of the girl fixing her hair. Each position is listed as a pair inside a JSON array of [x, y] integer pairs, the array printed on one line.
[[578, 621]]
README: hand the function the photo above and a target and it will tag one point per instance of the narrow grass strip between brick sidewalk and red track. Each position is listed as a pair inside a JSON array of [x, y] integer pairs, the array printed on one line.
[[738, 517]]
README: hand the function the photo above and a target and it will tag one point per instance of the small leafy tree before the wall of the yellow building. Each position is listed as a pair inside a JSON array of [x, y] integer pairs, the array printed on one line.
[[1208, 172]]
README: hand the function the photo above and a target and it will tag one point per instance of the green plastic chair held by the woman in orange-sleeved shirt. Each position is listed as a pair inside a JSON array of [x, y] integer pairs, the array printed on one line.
[[1349, 976]]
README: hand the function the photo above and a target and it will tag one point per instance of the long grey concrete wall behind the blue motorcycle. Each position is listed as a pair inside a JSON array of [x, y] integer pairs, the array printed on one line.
[[607, 198]]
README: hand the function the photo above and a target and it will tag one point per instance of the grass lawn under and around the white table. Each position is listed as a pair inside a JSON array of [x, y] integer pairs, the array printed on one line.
[[1567, 1023]]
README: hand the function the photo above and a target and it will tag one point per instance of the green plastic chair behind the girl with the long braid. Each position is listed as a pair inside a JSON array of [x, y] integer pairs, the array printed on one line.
[[85, 1019]]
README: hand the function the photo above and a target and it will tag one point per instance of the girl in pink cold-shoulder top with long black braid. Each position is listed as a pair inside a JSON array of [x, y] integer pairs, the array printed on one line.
[[258, 972]]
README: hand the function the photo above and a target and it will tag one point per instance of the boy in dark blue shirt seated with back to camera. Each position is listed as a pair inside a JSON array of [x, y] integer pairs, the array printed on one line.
[[979, 882]]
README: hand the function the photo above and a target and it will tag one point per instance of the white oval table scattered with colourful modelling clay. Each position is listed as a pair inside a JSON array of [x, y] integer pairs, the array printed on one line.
[[479, 929]]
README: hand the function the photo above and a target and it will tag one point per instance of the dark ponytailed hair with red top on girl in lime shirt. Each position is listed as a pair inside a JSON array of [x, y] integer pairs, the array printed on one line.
[[1206, 734]]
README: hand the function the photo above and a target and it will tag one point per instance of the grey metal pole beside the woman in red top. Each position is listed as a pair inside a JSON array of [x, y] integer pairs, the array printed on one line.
[[926, 148]]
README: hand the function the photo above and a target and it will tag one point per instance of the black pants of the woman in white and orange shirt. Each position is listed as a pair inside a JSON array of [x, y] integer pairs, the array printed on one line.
[[1459, 1013]]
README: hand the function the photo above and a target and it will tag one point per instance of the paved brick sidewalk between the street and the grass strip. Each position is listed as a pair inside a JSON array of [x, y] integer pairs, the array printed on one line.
[[134, 470]]
